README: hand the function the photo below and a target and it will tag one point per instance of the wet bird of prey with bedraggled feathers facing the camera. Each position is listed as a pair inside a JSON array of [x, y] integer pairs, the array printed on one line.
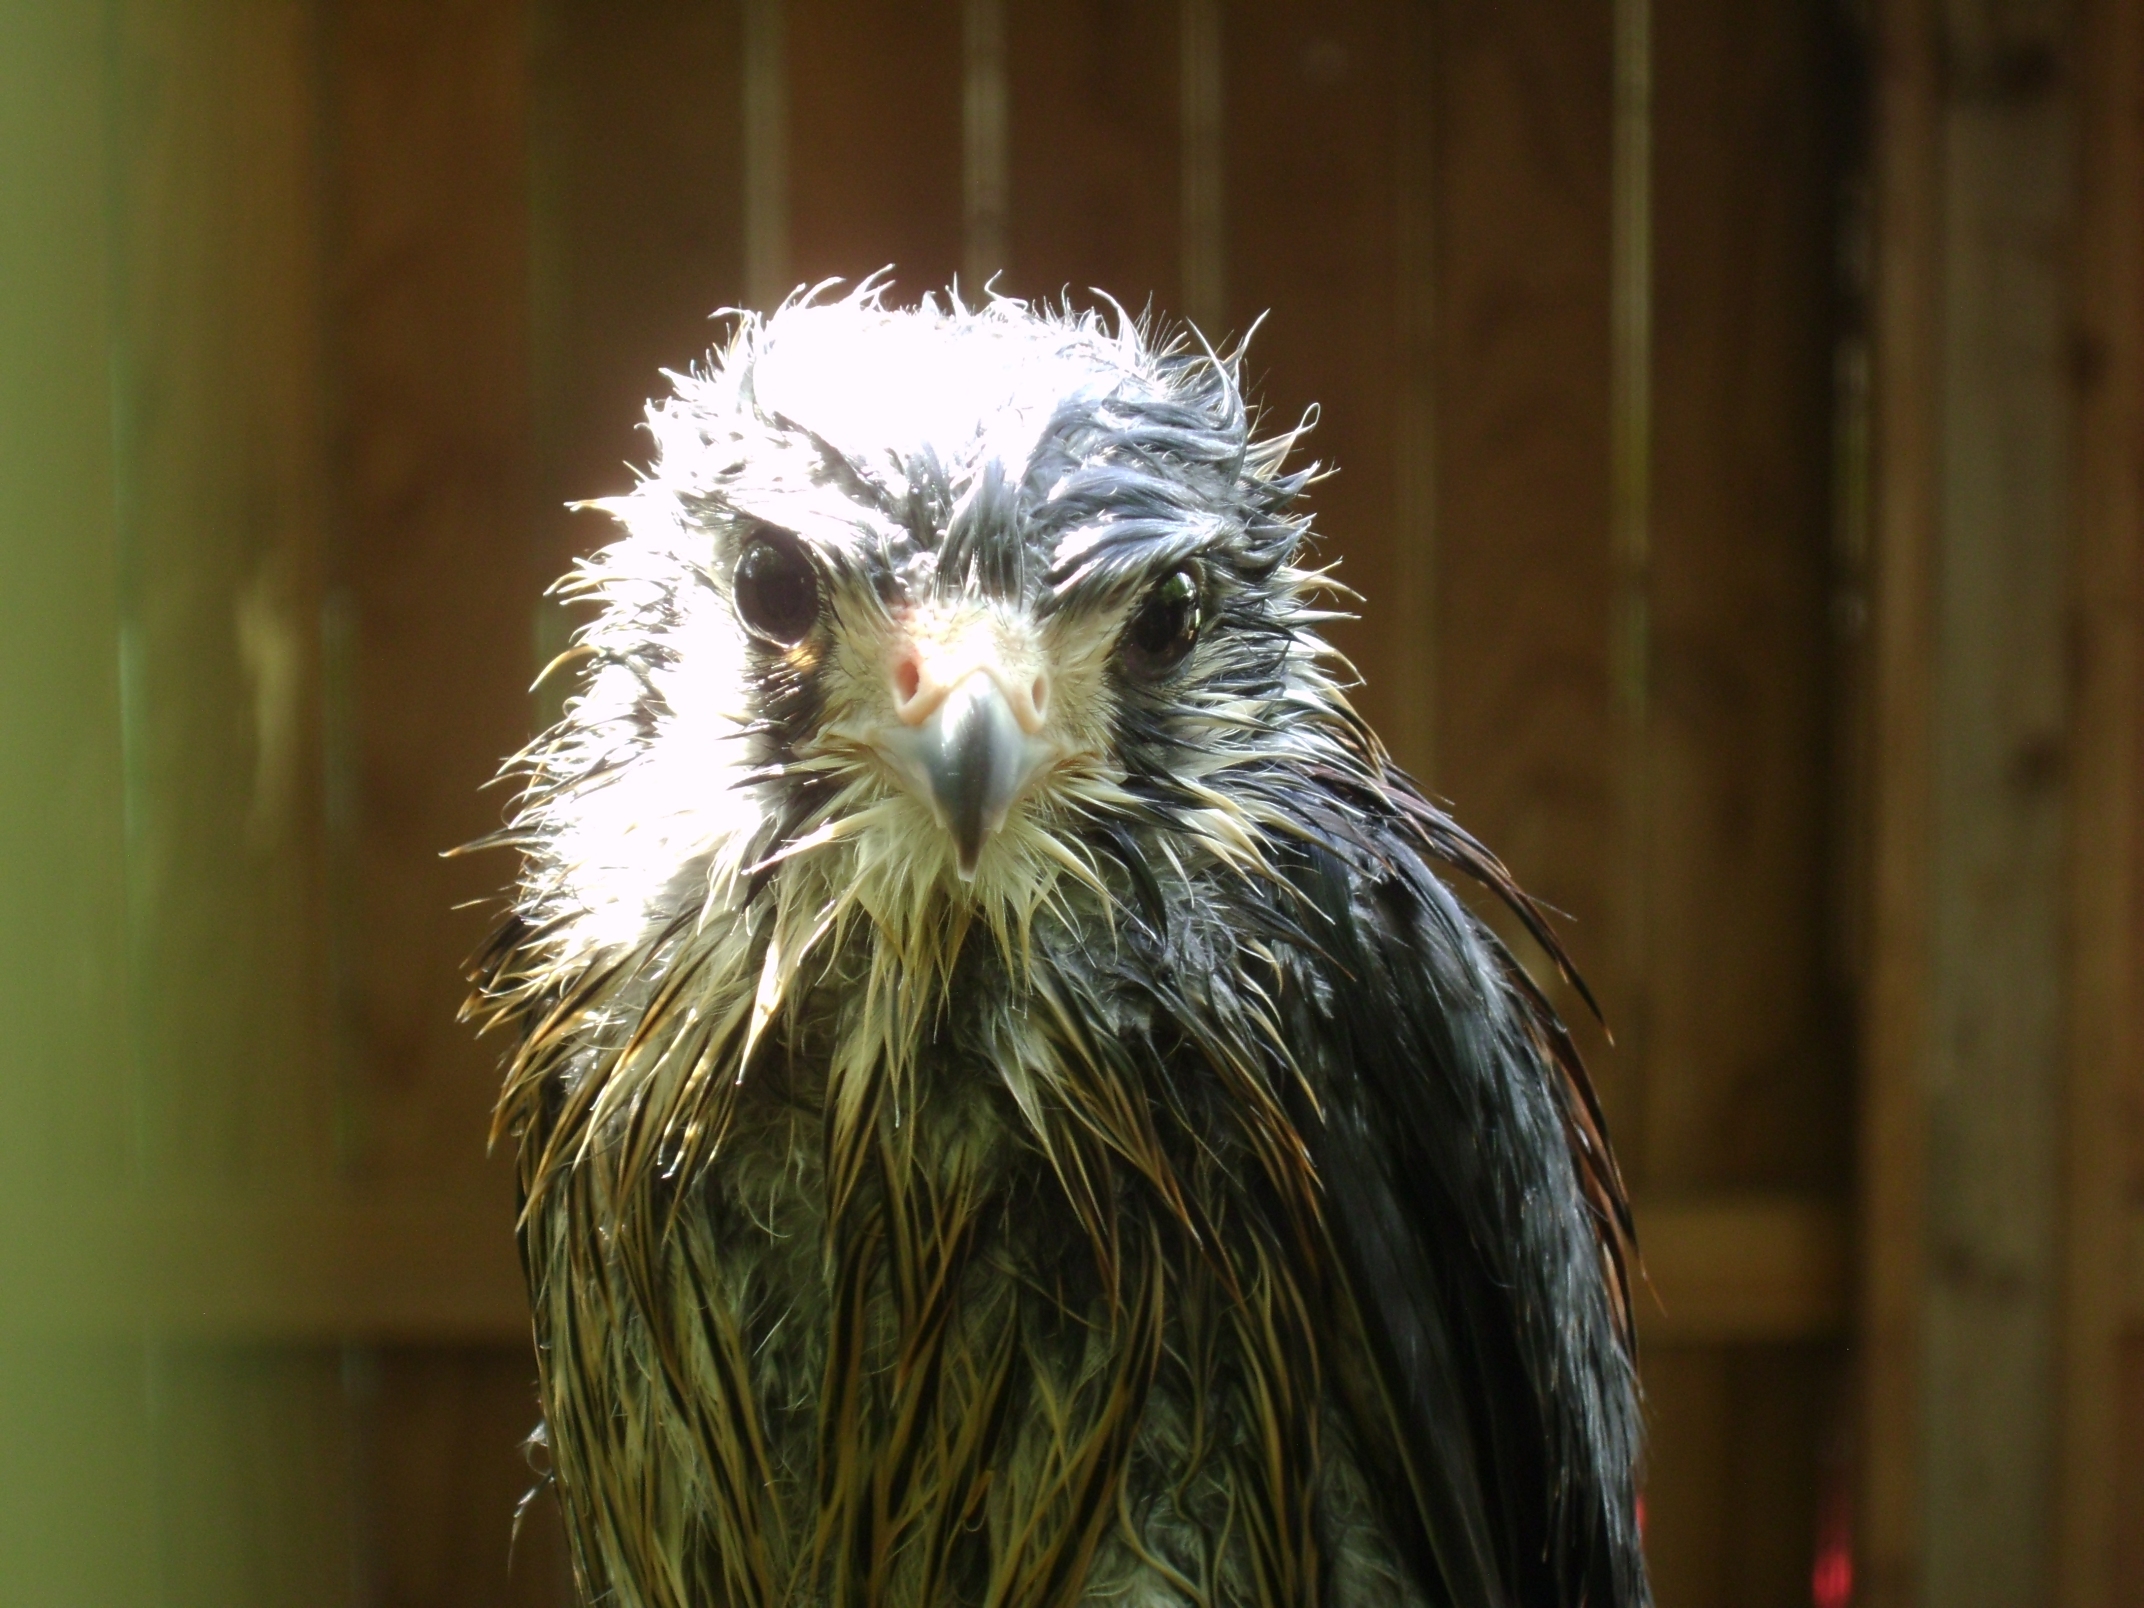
[[1011, 1110]]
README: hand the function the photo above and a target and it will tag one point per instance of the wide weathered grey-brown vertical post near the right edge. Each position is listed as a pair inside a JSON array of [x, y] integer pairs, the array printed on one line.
[[1974, 769]]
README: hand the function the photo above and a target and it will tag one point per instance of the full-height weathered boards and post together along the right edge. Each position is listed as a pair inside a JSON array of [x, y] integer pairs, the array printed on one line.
[[2001, 1052]]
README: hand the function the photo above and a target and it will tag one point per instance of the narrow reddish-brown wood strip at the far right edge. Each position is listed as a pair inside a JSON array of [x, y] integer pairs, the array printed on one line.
[[2102, 1453]]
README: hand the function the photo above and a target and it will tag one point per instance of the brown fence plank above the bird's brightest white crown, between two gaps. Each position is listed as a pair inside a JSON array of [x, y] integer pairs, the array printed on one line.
[[876, 143]]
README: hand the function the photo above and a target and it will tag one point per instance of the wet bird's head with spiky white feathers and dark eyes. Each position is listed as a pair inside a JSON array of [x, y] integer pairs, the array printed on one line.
[[912, 610]]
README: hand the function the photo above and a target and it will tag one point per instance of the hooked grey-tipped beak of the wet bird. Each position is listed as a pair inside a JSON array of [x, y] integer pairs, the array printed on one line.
[[968, 756]]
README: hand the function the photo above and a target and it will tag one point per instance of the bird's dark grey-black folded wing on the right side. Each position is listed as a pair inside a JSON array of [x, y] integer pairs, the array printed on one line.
[[1476, 1217]]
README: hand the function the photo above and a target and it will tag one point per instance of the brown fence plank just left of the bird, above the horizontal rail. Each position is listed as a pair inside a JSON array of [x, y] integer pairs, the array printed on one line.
[[436, 576]]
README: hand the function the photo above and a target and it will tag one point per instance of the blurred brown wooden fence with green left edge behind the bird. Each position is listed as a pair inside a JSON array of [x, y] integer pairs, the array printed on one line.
[[1740, 434]]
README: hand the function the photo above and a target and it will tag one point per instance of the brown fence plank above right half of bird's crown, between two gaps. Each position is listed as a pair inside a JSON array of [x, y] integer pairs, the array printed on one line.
[[1095, 151]]
